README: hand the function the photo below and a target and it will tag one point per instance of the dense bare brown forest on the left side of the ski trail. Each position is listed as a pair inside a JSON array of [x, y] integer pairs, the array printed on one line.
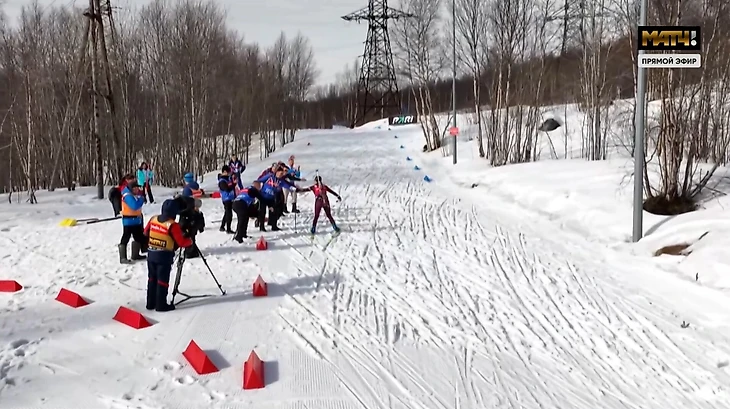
[[171, 78]]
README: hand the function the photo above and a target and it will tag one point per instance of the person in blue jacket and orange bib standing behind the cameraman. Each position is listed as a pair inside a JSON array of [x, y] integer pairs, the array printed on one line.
[[133, 223]]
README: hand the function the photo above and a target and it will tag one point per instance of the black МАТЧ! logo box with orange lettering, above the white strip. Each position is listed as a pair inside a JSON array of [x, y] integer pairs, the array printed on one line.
[[670, 38]]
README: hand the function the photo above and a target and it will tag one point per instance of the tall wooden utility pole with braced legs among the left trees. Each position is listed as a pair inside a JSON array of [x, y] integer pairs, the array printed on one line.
[[96, 33]]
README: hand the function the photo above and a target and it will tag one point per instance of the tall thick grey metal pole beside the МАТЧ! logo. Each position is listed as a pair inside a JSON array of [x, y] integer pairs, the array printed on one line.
[[639, 155]]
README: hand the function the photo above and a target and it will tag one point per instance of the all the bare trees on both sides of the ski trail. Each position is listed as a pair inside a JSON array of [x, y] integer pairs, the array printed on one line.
[[178, 79]]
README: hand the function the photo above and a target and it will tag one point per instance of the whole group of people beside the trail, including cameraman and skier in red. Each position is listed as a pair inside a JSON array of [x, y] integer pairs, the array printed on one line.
[[163, 235]]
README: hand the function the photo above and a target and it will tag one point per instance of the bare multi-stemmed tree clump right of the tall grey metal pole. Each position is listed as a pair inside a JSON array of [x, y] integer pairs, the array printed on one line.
[[693, 125]]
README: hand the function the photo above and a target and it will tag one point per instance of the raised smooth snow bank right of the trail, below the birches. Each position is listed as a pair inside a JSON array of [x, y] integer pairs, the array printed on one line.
[[594, 199]]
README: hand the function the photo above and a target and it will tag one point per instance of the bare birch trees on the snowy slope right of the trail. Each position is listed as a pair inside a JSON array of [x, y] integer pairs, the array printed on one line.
[[518, 56]]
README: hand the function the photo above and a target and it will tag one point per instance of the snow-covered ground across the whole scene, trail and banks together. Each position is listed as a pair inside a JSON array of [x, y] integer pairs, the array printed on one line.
[[518, 293]]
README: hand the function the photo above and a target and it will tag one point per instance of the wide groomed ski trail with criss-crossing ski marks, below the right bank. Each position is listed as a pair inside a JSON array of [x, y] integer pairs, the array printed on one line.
[[431, 298]]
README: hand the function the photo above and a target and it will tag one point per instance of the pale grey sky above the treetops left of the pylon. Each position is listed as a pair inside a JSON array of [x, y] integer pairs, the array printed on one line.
[[336, 42]]
